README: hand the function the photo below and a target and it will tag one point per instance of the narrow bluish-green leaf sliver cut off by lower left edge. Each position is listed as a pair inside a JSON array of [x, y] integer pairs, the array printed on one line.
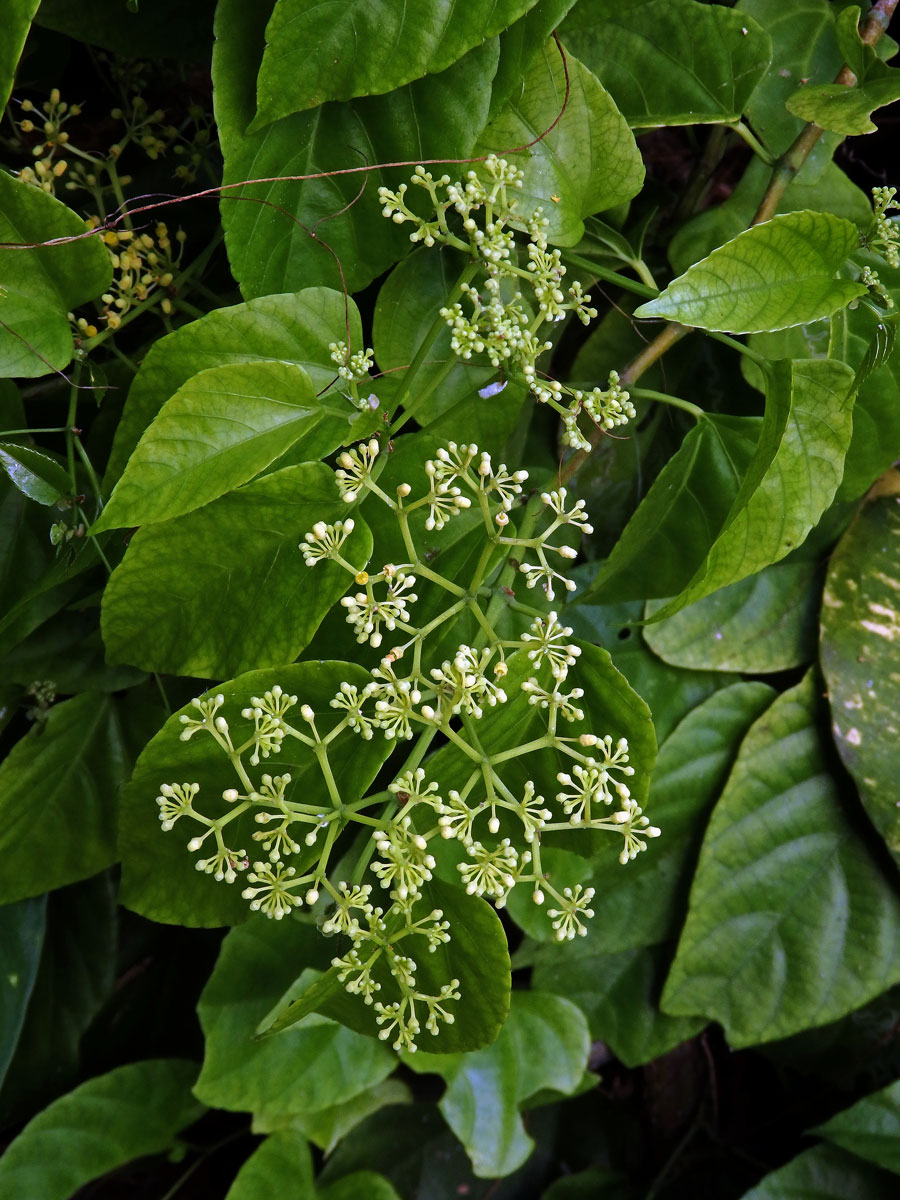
[[22, 929]]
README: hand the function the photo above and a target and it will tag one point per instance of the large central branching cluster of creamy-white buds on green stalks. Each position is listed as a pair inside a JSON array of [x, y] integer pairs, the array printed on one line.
[[493, 813]]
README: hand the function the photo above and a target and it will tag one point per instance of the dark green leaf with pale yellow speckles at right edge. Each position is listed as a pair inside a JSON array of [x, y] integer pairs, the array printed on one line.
[[861, 655]]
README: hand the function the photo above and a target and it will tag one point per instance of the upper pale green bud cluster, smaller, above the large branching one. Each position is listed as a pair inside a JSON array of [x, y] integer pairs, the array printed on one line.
[[478, 217]]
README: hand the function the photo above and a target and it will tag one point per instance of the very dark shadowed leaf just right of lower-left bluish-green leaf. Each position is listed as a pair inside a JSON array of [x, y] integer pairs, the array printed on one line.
[[80, 947]]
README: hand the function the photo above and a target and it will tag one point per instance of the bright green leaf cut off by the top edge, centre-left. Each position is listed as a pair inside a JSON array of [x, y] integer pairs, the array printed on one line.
[[310, 56]]
